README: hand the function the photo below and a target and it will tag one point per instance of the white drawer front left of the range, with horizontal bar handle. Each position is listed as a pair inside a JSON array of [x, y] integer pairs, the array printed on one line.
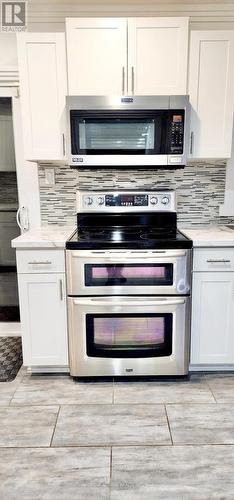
[[40, 261]]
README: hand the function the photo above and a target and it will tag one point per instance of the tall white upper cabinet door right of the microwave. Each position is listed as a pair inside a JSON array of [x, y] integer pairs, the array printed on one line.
[[210, 86]]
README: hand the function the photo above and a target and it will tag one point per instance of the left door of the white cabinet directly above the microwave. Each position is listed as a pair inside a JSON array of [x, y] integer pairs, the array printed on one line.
[[97, 56]]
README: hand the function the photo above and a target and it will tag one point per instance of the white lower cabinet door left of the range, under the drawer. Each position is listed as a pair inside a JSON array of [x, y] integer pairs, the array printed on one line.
[[43, 319]]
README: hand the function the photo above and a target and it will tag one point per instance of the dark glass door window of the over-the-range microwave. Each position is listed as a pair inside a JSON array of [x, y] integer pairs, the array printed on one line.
[[121, 132]]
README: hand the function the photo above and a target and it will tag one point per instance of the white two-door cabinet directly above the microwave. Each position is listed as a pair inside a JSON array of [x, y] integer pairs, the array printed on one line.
[[138, 56]]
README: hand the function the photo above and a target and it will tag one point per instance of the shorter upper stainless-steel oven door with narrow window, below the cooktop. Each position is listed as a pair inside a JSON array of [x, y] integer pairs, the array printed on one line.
[[93, 272]]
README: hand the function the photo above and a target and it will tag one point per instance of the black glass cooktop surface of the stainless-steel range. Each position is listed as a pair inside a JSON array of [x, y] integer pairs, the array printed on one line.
[[128, 238]]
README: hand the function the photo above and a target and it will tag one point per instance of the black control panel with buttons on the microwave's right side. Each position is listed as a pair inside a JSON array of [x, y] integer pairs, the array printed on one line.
[[176, 132]]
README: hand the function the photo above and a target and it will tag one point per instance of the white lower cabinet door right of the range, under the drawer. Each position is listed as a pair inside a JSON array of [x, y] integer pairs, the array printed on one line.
[[212, 340]]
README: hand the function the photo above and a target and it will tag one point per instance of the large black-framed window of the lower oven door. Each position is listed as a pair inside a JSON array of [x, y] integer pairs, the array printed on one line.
[[129, 335]]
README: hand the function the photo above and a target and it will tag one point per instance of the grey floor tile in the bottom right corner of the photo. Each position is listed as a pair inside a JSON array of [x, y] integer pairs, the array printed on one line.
[[171, 473]]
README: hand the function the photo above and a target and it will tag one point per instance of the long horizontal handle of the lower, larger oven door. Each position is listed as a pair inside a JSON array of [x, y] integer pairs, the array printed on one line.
[[127, 301]]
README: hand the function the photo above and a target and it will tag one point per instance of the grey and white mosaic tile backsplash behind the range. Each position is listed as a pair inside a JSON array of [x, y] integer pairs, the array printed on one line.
[[200, 190]]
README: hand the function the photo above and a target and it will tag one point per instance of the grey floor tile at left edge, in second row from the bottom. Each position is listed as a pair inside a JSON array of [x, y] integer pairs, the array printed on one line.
[[27, 426]]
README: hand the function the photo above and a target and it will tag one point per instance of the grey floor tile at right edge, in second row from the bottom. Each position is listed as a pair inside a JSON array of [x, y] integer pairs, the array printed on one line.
[[201, 424]]
